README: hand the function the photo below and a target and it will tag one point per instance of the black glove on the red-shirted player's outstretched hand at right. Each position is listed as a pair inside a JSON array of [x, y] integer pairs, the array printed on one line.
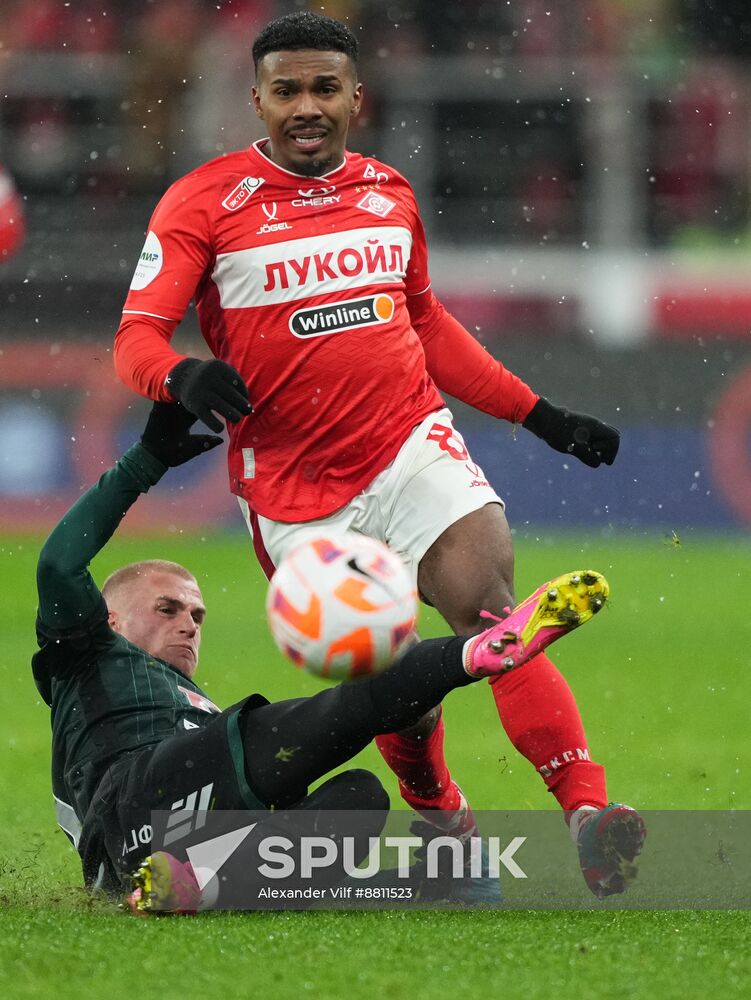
[[577, 434]]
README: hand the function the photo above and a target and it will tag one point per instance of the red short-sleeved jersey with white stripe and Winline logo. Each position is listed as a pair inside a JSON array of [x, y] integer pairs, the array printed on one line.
[[301, 284]]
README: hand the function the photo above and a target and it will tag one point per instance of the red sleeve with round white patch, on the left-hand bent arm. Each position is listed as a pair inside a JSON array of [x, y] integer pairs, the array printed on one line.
[[176, 255]]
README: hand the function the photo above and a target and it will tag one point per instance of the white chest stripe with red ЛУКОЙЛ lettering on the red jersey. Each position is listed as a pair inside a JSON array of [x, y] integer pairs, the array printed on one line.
[[314, 265]]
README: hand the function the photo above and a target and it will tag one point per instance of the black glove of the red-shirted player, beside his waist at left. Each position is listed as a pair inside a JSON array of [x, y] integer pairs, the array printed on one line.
[[203, 386]]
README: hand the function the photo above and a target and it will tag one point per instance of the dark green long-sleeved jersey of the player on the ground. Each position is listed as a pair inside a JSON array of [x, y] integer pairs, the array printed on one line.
[[107, 696]]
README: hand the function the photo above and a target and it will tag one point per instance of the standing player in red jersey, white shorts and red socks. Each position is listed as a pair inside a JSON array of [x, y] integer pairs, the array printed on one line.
[[308, 266]]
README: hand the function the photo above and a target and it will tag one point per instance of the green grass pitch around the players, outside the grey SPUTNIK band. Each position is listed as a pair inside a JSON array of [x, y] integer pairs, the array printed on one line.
[[663, 681]]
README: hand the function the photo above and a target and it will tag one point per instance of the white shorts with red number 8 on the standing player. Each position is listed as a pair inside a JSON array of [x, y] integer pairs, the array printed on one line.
[[431, 483]]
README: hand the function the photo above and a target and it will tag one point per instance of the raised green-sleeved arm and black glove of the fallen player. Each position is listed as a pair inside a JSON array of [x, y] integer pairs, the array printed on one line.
[[68, 595]]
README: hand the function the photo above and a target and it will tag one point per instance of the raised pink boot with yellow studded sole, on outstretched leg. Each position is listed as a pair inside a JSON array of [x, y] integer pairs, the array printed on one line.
[[554, 609]]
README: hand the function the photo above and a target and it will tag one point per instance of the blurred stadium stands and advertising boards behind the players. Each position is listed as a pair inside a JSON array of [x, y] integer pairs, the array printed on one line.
[[583, 169]]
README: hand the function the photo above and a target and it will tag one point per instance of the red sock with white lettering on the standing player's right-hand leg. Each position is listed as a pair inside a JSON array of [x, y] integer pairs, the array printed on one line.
[[541, 718]]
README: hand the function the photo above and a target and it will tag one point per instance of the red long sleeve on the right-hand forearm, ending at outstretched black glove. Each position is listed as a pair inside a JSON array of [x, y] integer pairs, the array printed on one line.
[[460, 365]]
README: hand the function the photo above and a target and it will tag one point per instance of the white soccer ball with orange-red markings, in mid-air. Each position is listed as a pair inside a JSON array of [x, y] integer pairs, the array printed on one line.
[[341, 605]]
